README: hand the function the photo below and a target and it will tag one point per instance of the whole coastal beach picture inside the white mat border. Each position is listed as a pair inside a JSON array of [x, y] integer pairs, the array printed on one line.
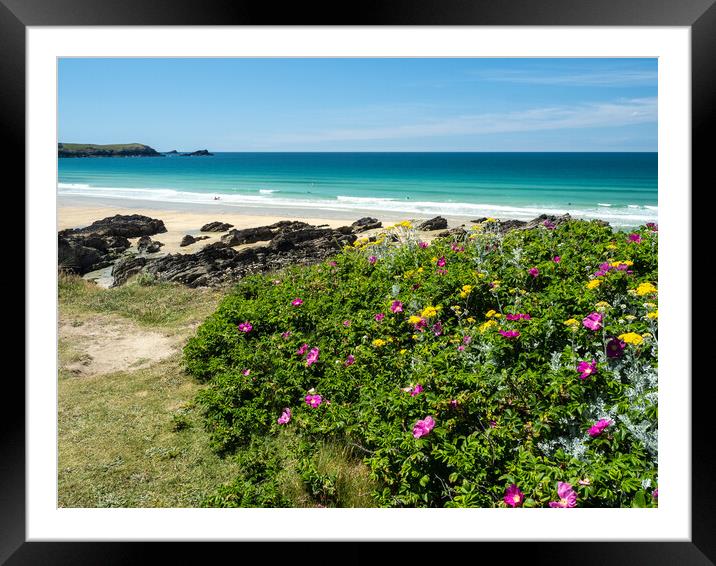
[[358, 282]]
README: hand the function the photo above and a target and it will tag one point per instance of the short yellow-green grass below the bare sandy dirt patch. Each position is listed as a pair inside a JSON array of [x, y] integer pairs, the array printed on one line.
[[120, 446]]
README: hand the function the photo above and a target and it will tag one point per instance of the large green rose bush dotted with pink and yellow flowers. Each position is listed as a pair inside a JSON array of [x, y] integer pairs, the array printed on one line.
[[463, 371]]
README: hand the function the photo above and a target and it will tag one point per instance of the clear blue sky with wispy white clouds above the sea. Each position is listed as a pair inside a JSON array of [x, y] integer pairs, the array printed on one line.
[[391, 104]]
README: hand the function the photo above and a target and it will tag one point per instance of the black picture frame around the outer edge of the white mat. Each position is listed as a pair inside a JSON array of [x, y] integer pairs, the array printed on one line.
[[698, 15]]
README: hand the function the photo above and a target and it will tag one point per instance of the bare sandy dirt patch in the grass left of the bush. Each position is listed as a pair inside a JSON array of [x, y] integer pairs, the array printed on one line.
[[104, 344]]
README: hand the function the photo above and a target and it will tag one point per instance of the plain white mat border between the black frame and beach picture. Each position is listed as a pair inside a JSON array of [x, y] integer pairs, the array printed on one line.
[[671, 521]]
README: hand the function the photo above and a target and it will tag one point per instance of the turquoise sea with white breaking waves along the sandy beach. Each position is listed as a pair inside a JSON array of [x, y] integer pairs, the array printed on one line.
[[618, 187]]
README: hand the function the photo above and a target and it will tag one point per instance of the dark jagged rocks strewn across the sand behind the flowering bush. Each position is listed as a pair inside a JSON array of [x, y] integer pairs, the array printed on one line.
[[105, 243]]
